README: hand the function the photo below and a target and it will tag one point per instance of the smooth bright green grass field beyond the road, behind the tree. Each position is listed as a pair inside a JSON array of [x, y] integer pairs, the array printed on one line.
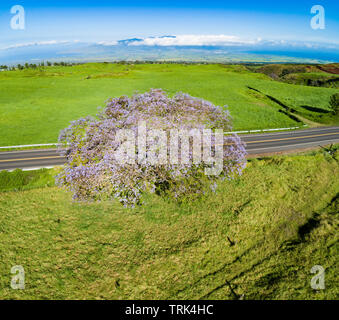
[[36, 104]]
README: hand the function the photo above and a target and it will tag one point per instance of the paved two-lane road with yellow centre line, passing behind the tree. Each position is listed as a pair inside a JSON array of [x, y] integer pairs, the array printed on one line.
[[256, 144]]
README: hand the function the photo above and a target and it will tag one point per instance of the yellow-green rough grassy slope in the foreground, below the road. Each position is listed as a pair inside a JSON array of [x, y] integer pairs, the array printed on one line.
[[282, 215]]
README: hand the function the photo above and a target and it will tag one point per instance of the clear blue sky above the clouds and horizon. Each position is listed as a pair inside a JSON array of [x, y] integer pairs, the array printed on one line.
[[104, 20]]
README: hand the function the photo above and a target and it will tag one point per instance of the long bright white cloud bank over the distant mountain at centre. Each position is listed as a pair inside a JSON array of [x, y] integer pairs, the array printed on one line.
[[194, 40]]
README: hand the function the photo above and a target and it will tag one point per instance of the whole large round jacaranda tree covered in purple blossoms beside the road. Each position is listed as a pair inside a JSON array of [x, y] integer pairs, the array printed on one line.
[[149, 143]]
